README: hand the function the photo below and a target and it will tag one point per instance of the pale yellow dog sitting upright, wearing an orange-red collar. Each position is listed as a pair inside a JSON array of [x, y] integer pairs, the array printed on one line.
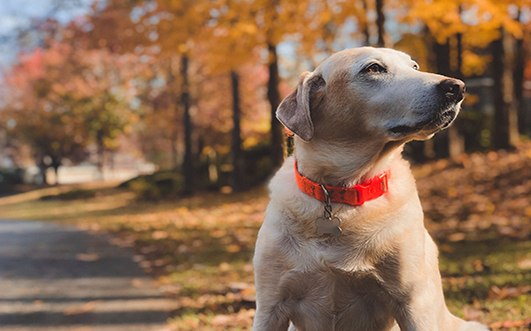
[[343, 245]]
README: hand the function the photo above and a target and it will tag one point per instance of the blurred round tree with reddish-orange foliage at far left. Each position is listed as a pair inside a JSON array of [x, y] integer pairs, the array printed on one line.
[[65, 98]]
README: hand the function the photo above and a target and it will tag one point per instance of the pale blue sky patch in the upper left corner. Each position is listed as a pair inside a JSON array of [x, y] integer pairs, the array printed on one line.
[[19, 15]]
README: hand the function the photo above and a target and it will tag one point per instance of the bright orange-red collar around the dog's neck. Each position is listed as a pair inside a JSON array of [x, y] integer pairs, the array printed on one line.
[[355, 195]]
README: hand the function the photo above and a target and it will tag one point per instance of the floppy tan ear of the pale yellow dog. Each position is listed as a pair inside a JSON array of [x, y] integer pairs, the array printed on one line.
[[294, 110]]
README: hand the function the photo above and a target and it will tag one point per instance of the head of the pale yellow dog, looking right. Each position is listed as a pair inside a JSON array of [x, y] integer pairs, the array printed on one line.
[[374, 93]]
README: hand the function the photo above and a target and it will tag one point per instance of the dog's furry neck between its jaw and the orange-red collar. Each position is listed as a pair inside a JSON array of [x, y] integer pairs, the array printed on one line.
[[337, 165]]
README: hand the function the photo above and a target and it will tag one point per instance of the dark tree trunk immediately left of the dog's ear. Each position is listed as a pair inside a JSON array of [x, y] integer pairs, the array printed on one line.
[[273, 96]]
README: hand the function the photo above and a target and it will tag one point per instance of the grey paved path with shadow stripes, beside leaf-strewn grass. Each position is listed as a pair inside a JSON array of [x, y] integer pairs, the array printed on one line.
[[61, 278]]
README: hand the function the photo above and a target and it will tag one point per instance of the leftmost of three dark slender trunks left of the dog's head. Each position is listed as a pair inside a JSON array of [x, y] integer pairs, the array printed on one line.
[[188, 168]]
